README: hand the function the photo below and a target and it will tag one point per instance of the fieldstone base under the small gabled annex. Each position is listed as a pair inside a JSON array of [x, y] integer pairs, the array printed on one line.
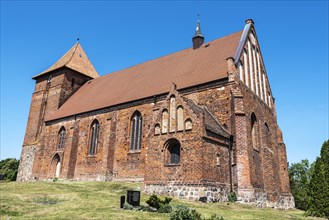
[[210, 194]]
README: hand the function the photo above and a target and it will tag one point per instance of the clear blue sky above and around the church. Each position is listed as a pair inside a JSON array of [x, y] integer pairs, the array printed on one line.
[[293, 37]]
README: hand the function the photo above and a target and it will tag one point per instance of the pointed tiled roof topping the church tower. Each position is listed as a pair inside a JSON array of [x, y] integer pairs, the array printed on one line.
[[75, 59]]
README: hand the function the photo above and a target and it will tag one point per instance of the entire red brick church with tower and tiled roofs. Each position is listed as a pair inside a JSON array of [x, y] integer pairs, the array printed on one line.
[[200, 122]]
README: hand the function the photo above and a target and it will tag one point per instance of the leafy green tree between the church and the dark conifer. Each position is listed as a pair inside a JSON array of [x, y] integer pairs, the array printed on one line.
[[300, 175]]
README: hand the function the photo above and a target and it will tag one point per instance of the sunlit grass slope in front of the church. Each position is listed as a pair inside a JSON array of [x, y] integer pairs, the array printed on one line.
[[101, 200]]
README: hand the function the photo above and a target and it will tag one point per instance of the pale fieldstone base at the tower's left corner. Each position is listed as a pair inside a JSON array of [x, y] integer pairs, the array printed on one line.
[[26, 163]]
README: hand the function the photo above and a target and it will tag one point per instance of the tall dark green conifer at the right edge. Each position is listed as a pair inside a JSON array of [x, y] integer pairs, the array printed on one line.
[[318, 193]]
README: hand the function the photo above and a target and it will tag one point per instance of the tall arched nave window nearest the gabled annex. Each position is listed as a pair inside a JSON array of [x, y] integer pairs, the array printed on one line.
[[136, 131]]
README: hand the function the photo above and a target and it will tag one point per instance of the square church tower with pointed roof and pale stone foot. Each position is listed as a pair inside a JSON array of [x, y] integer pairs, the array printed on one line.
[[52, 89]]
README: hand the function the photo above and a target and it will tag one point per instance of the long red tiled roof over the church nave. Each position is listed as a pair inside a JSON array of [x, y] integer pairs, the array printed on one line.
[[185, 68]]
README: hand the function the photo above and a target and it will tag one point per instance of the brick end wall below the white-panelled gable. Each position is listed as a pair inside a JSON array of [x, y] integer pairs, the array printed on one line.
[[264, 158]]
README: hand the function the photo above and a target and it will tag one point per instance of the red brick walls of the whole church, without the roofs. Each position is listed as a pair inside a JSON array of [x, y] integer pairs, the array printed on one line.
[[224, 134]]
